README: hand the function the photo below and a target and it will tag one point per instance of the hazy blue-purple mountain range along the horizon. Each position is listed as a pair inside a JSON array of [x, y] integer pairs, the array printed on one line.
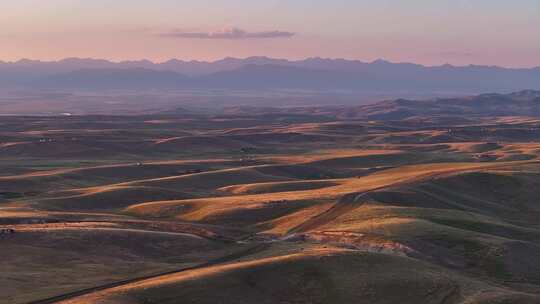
[[314, 74]]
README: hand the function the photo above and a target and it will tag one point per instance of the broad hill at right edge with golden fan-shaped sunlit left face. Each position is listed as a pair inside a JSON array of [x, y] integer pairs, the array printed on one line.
[[482, 222]]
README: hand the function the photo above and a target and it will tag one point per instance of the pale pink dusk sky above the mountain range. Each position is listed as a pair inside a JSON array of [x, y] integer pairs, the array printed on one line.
[[431, 32]]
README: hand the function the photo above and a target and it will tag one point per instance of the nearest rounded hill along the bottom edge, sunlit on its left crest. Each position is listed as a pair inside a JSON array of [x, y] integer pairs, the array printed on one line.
[[312, 276]]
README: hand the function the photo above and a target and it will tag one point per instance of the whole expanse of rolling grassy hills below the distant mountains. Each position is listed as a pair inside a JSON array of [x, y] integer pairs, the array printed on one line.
[[281, 208]]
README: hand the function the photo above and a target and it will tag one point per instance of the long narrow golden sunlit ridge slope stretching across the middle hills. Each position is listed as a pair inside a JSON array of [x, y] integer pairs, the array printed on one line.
[[214, 207]]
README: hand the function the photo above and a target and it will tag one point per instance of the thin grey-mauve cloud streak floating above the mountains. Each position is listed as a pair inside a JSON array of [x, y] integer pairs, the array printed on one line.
[[230, 34]]
